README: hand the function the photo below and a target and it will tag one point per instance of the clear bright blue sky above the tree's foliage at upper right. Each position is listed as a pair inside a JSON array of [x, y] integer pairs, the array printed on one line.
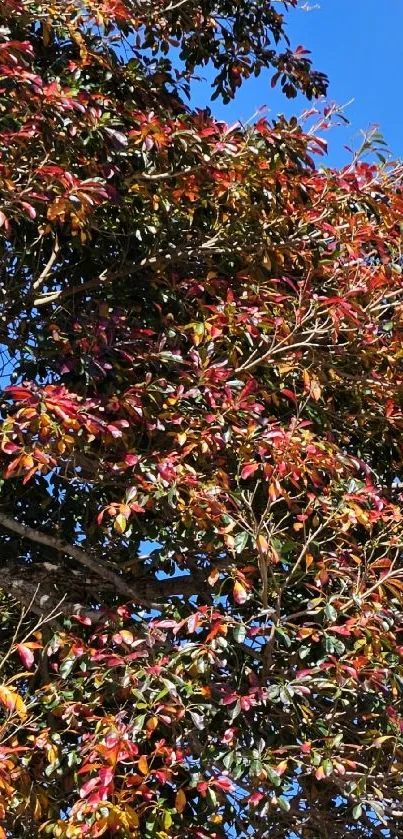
[[359, 44]]
